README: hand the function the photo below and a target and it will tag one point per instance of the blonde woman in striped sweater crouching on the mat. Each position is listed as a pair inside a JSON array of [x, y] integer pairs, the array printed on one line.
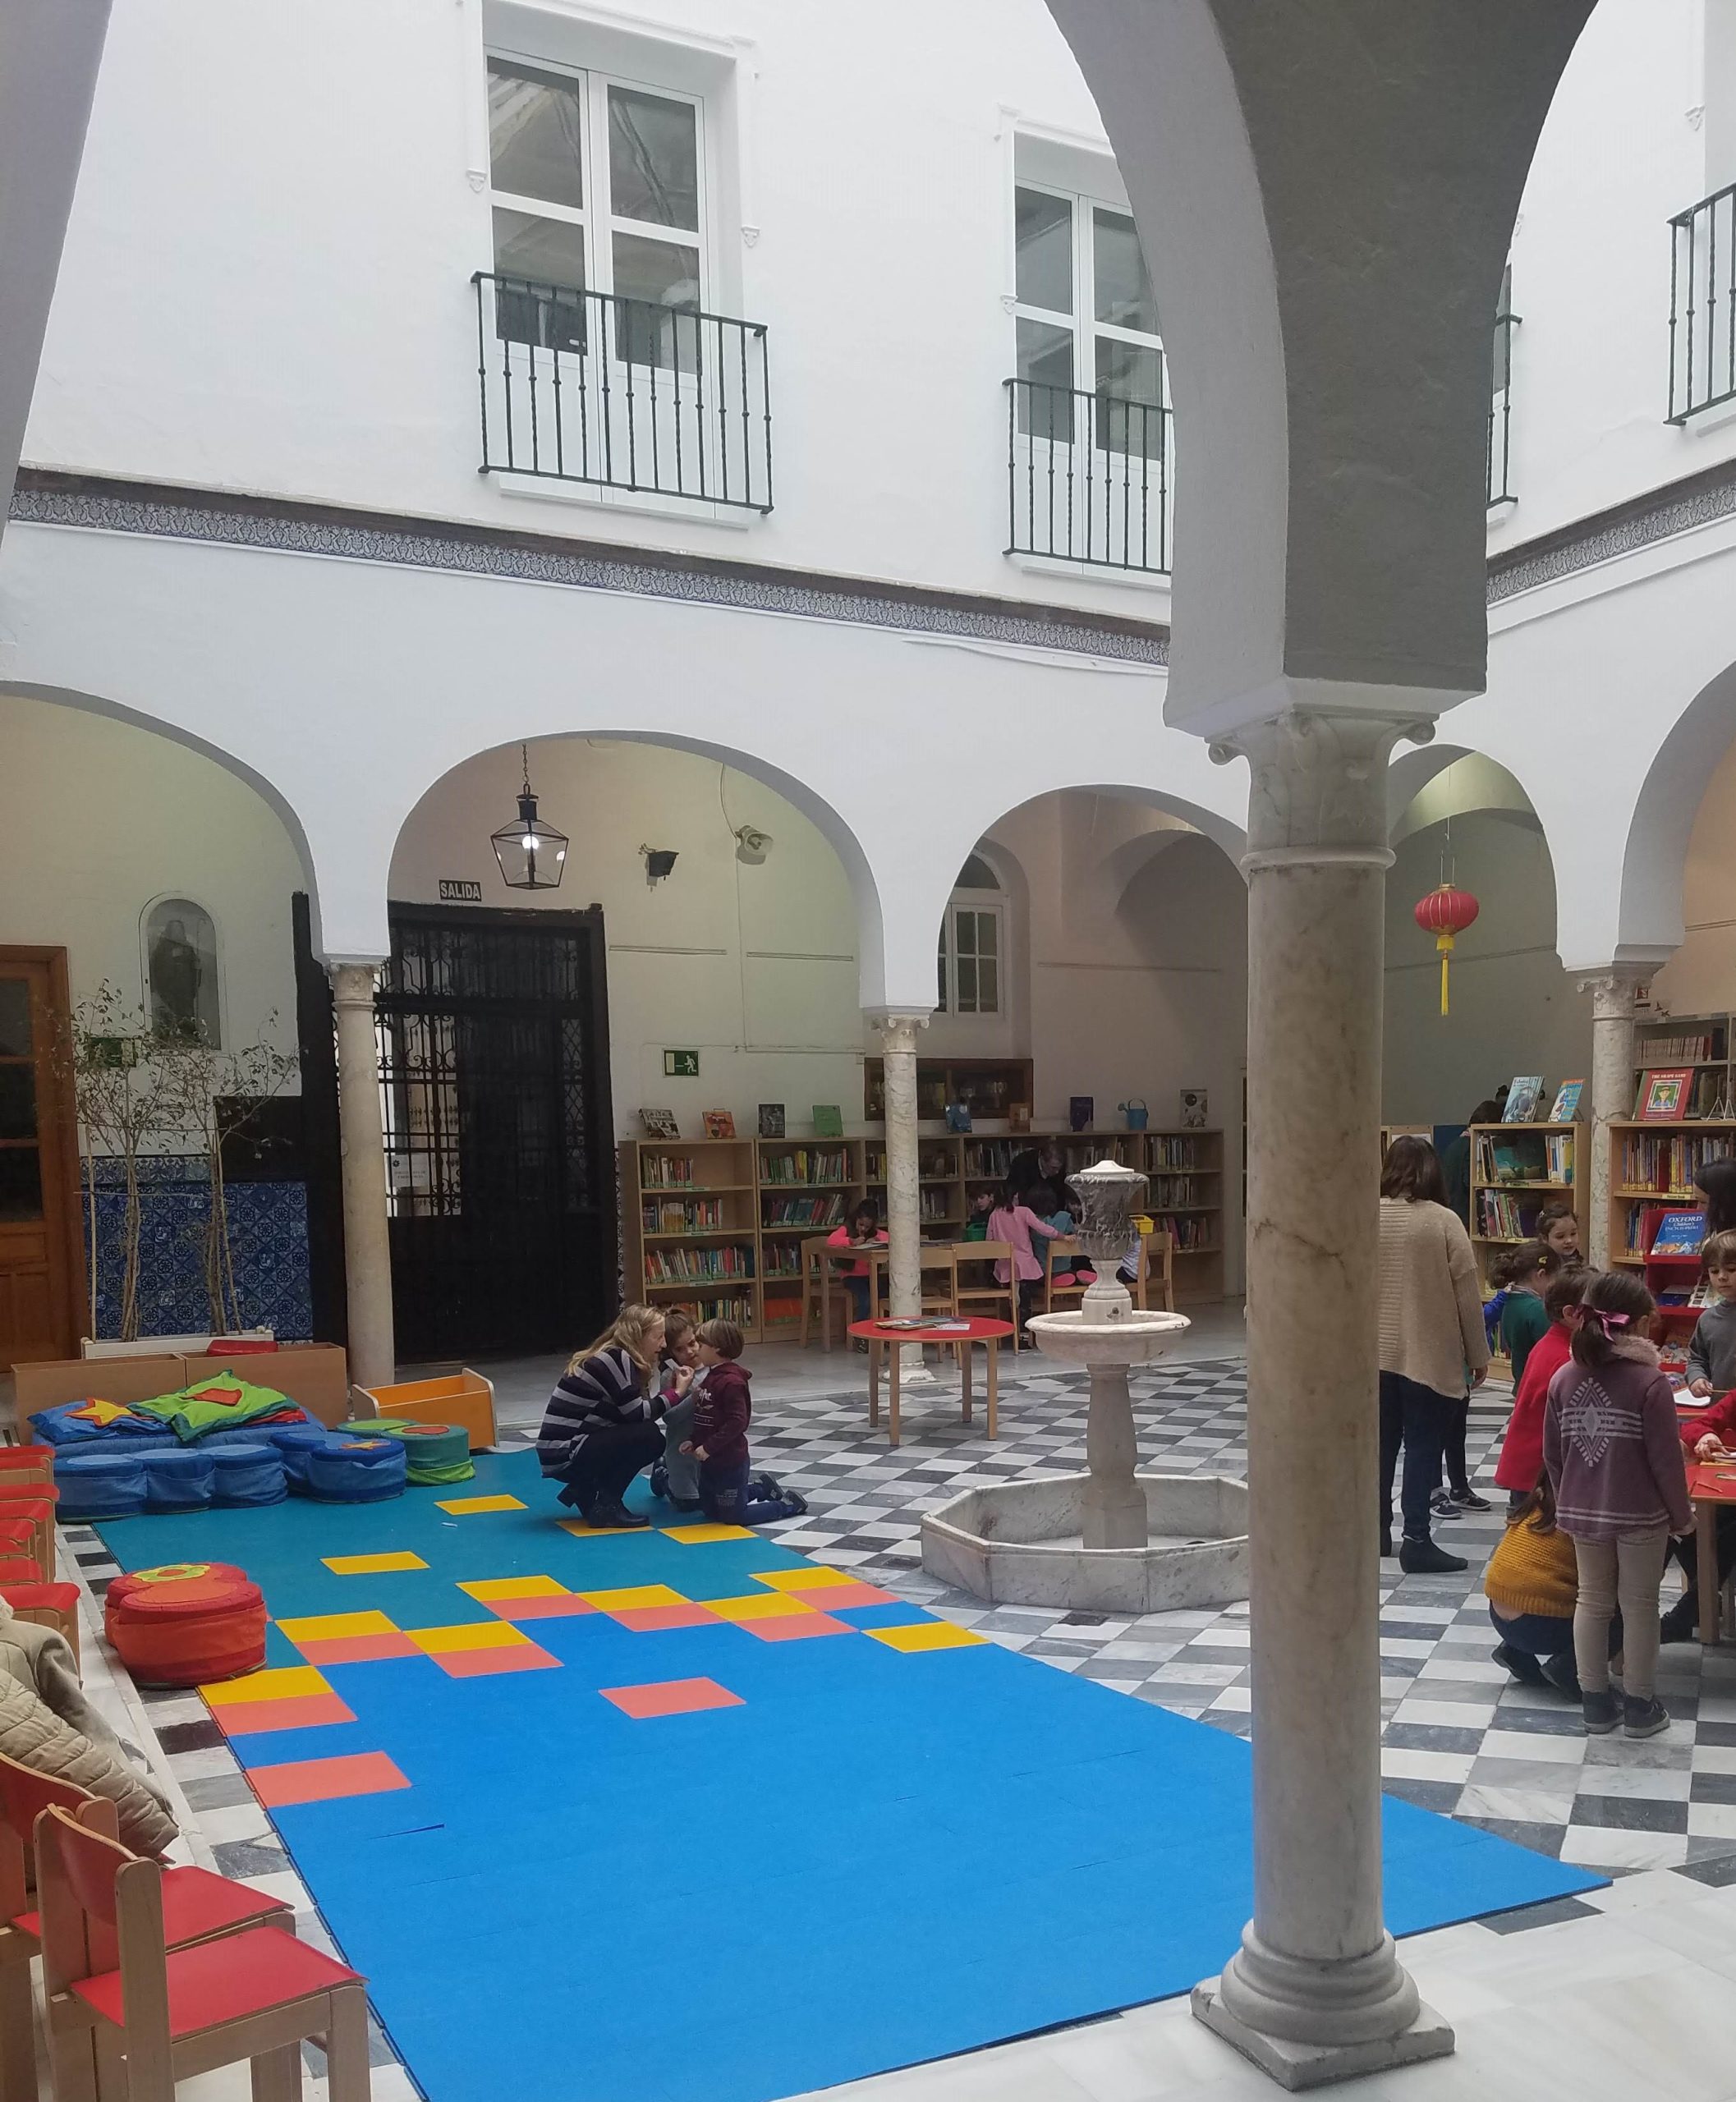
[[602, 1420]]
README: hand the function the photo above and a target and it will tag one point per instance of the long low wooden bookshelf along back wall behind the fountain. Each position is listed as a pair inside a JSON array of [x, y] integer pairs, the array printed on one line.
[[716, 1227]]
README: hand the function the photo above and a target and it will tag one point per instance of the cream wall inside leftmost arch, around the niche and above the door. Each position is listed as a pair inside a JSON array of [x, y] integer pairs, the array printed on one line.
[[100, 819]]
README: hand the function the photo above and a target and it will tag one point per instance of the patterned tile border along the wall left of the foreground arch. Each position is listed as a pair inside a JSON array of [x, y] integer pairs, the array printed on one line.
[[56, 499]]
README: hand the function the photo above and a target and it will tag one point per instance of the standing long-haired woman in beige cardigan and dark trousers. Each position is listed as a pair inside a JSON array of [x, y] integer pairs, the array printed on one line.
[[1432, 1338]]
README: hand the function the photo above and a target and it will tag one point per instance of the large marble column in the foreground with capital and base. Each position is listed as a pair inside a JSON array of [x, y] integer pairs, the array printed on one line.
[[1317, 1990]]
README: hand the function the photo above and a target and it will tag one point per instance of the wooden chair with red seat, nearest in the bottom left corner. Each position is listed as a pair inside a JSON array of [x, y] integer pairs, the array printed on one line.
[[159, 2013]]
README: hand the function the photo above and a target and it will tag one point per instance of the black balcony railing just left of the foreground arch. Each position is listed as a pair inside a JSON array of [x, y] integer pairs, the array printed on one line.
[[1090, 476]]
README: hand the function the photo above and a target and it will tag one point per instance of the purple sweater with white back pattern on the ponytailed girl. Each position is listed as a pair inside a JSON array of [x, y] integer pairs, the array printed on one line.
[[1613, 1449]]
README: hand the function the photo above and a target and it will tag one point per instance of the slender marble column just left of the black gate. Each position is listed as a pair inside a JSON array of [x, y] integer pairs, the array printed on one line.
[[373, 1361]]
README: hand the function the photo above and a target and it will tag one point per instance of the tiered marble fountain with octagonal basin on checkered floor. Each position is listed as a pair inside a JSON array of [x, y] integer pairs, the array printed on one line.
[[1111, 1540]]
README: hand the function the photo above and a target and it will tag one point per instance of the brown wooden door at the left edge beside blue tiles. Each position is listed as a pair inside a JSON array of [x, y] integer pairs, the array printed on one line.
[[41, 1243]]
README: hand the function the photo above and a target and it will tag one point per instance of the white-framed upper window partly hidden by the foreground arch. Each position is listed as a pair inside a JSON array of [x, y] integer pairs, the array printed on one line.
[[1086, 321]]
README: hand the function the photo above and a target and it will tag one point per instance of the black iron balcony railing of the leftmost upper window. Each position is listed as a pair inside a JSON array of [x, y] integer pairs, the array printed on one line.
[[623, 392]]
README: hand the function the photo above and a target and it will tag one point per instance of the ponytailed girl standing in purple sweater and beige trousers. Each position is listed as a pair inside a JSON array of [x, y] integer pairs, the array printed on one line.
[[1621, 1489]]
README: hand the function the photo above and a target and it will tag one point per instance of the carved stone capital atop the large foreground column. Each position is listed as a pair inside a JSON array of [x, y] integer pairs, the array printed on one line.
[[1319, 785]]
